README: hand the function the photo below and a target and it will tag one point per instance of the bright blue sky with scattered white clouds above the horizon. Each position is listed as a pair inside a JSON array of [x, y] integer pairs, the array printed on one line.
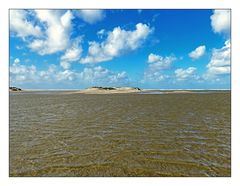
[[149, 49]]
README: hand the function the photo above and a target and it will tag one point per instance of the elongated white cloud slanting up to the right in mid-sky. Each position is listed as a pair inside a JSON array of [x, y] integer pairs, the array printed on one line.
[[118, 41]]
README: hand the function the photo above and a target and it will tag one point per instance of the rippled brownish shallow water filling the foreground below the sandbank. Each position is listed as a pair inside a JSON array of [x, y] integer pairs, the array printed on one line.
[[120, 134]]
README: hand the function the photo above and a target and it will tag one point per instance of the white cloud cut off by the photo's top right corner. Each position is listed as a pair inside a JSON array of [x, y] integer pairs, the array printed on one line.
[[220, 21]]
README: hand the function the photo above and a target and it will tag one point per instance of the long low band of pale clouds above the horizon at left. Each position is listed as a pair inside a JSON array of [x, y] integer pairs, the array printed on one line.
[[21, 74]]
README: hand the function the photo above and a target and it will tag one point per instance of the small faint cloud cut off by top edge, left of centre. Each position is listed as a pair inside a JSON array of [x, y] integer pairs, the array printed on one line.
[[91, 16]]
